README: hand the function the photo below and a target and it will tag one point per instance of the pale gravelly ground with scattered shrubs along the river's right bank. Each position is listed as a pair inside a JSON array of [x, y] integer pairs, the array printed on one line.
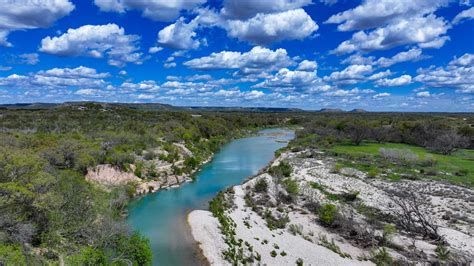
[[450, 207]]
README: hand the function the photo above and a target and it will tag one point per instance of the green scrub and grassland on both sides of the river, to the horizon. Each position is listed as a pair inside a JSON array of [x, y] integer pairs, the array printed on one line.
[[50, 213]]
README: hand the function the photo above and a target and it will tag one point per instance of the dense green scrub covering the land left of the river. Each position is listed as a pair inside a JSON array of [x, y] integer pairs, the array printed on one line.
[[49, 213]]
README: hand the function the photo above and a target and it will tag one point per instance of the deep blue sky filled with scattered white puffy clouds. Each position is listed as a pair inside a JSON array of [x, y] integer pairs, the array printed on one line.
[[379, 55]]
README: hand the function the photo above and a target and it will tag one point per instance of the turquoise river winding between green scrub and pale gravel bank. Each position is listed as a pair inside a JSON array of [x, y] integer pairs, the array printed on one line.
[[161, 216]]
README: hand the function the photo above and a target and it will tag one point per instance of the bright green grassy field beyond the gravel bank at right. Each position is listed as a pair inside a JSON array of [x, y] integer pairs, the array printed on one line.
[[457, 168]]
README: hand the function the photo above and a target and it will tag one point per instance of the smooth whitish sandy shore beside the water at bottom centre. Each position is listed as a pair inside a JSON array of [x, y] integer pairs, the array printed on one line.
[[205, 230]]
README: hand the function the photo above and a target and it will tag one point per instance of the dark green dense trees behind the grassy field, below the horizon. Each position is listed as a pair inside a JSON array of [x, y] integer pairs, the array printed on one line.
[[441, 133]]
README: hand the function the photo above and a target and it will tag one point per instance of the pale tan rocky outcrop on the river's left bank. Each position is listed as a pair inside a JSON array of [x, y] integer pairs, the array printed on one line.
[[108, 176]]
